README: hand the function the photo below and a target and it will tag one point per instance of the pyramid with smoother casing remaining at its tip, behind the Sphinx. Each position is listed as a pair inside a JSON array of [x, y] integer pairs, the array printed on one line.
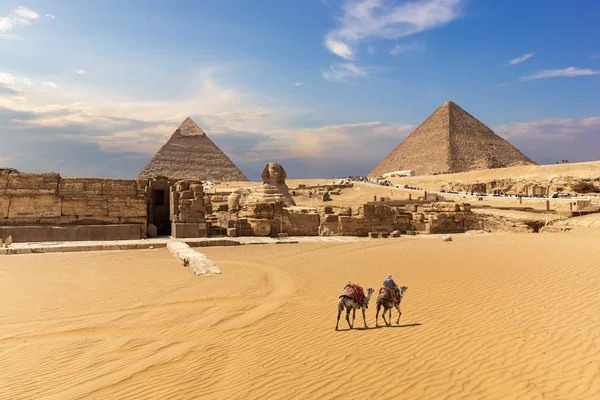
[[190, 154]]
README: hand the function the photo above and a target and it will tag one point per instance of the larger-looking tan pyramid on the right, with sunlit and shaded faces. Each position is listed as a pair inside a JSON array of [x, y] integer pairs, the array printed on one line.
[[451, 140]]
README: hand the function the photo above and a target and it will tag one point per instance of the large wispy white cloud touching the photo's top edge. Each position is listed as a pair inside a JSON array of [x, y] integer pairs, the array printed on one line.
[[364, 19]]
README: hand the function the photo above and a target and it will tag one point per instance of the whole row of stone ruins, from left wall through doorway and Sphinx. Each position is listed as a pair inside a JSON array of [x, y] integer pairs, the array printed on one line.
[[48, 207]]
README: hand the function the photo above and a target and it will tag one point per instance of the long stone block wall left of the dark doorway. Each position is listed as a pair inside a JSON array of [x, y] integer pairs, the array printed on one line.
[[48, 207]]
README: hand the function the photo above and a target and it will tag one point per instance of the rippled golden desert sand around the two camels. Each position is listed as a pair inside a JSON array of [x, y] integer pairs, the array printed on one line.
[[485, 316]]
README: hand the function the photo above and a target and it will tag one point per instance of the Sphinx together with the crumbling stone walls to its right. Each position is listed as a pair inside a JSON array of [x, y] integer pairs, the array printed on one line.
[[269, 210]]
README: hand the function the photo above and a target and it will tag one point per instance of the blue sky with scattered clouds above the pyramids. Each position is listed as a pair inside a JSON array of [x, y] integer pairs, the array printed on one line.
[[324, 87]]
